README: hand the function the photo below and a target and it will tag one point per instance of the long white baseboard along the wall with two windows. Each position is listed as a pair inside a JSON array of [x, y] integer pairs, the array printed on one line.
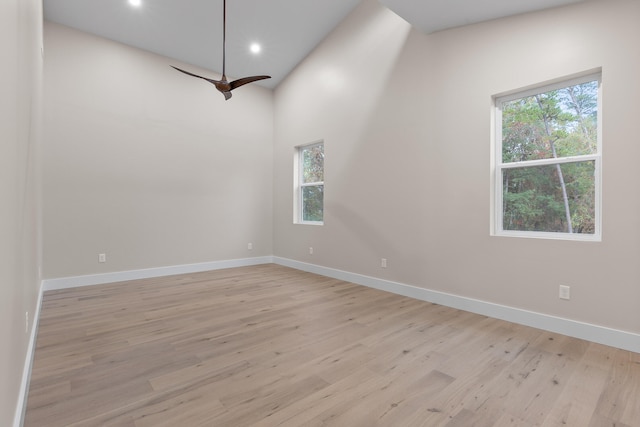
[[599, 334]]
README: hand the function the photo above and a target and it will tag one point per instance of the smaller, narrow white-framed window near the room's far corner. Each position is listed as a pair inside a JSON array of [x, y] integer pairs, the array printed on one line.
[[310, 189]]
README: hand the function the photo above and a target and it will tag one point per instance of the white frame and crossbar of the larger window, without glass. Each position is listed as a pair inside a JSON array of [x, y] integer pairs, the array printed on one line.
[[498, 165]]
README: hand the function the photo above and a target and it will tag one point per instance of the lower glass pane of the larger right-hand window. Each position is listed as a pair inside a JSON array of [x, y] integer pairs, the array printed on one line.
[[534, 200]]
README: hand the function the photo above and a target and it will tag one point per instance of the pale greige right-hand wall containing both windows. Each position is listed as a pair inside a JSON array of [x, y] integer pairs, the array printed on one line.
[[406, 120]]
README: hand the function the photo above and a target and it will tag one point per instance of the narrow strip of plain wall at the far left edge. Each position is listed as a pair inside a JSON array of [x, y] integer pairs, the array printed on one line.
[[20, 131]]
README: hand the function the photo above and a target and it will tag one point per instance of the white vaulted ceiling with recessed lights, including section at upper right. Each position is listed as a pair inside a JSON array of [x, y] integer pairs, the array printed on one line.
[[288, 30]]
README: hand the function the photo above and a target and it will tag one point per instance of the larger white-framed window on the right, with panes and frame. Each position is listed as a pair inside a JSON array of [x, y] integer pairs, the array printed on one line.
[[548, 152]]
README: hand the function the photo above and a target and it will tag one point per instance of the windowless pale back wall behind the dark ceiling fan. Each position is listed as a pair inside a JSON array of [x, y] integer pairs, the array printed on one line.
[[148, 165]]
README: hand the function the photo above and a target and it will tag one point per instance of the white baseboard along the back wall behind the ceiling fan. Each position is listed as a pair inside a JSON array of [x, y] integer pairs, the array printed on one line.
[[121, 276]]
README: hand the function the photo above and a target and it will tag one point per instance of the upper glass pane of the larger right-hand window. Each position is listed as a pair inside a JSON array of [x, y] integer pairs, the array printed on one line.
[[557, 123]]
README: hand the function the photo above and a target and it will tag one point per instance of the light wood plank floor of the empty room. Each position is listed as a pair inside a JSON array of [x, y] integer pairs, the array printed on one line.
[[271, 346]]
